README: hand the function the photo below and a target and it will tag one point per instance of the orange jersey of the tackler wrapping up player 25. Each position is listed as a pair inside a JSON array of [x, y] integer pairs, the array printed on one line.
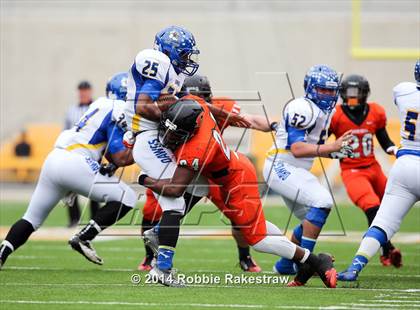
[[206, 152]]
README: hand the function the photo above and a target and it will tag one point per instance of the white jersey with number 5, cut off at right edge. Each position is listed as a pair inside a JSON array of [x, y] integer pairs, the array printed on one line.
[[407, 99]]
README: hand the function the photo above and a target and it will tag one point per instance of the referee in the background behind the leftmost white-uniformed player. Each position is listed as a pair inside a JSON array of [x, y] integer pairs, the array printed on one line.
[[73, 115]]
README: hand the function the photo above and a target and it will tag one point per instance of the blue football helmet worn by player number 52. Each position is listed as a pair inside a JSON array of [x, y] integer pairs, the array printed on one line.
[[322, 77]]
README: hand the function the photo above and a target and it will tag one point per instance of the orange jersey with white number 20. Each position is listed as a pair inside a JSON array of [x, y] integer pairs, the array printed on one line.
[[363, 134]]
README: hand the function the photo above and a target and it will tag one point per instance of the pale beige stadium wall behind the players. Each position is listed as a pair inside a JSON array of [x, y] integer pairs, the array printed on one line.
[[47, 47]]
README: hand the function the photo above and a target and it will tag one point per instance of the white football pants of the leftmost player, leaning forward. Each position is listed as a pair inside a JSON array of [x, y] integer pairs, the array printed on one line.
[[64, 172]]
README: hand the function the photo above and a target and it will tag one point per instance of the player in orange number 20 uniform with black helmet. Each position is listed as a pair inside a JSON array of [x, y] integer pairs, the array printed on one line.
[[362, 176]]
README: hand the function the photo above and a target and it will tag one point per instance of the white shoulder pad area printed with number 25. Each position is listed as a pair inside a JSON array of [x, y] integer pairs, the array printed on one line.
[[153, 64]]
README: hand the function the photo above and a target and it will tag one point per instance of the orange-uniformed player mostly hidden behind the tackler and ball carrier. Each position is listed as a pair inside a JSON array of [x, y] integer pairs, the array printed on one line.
[[199, 85]]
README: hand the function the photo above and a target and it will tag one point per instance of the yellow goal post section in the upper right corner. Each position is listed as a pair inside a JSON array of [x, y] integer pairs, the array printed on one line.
[[359, 52]]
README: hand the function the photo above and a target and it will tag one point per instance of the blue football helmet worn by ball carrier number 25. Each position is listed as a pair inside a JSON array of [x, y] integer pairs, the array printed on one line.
[[179, 45]]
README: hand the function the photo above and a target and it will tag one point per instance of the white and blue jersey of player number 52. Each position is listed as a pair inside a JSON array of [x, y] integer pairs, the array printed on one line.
[[302, 121]]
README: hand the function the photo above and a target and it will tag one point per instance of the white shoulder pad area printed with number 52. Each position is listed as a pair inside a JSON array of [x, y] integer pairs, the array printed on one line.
[[301, 113]]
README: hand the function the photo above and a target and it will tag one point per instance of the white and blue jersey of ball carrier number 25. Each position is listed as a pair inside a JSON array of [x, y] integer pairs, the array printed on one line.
[[153, 74]]
